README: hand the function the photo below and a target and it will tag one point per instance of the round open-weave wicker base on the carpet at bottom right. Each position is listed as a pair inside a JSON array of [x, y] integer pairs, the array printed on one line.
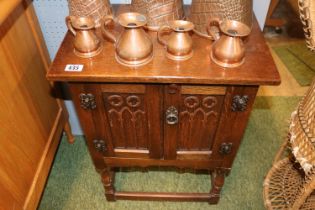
[[286, 188]]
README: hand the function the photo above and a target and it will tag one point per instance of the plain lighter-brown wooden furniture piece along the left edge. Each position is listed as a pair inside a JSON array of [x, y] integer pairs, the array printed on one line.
[[31, 119]]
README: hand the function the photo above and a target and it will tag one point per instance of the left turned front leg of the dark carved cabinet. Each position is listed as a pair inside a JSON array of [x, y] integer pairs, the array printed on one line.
[[108, 183]]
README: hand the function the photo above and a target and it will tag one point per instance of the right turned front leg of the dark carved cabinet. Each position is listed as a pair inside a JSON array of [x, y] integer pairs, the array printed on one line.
[[217, 182]]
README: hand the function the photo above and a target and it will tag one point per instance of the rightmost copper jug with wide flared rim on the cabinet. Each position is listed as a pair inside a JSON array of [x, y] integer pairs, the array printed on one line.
[[228, 49]]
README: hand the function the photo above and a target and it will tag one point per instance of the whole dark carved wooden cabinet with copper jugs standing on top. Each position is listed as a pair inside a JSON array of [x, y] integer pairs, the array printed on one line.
[[189, 114]]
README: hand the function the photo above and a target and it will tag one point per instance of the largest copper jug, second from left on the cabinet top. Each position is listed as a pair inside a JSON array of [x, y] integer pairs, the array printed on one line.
[[133, 46]]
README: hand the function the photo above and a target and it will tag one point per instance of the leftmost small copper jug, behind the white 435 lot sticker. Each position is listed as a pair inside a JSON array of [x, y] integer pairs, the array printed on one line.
[[86, 43]]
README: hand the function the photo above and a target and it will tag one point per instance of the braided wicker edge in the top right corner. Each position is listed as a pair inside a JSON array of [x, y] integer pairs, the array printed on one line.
[[307, 15]]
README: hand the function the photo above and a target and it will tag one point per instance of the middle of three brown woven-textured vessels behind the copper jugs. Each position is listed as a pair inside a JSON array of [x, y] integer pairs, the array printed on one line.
[[160, 12]]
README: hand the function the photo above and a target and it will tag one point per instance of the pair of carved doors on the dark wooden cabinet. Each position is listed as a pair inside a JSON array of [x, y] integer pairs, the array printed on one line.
[[133, 118]]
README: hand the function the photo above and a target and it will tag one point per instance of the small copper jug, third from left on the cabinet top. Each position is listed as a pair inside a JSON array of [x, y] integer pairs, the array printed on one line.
[[179, 45]]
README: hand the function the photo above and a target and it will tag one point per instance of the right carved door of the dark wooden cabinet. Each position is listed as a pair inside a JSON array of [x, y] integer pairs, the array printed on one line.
[[198, 110]]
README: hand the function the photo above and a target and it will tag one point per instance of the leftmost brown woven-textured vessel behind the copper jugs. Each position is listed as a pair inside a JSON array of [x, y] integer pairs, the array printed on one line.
[[96, 9]]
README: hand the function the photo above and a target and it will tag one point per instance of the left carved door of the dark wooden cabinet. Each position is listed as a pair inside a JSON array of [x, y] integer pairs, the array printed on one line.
[[126, 119]]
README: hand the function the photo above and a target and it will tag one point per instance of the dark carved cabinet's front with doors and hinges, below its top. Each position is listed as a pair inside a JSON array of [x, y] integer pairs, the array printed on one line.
[[194, 126]]
